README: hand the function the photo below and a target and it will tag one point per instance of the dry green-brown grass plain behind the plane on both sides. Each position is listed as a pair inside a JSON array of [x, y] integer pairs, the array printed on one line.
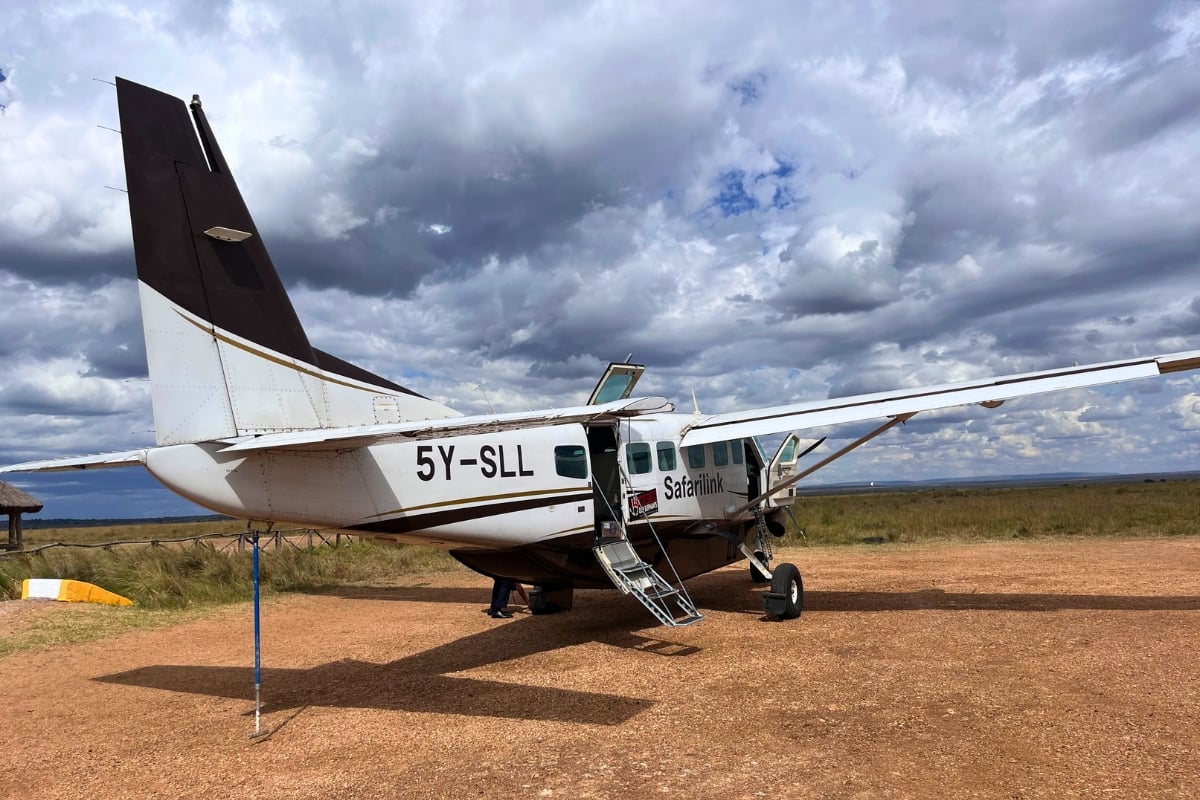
[[195, 576]]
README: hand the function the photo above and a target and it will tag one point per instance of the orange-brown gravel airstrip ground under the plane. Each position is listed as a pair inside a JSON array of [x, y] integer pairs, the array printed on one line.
[[1049, 670]]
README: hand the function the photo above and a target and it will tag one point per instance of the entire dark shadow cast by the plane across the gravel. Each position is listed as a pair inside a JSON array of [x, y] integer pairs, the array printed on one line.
[[427, 682]]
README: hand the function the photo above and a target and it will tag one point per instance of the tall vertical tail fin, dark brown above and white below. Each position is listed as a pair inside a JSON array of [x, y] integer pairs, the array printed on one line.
[[226, 351]]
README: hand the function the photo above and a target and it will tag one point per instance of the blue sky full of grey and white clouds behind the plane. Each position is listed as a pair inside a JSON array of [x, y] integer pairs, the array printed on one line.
[[761, 202]]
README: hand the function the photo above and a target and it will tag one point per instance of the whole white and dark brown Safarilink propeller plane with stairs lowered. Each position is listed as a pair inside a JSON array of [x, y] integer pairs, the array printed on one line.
[[254, 423]]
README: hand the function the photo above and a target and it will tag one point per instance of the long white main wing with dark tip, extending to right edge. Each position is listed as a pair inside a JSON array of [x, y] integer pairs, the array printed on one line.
[[989, 393]]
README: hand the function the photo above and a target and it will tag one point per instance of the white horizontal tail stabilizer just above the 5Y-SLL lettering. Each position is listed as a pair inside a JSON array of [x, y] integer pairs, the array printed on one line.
[[457, 426]]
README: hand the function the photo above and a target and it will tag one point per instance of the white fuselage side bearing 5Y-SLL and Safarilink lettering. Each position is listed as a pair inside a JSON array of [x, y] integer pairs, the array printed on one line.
[[496, 490]]
